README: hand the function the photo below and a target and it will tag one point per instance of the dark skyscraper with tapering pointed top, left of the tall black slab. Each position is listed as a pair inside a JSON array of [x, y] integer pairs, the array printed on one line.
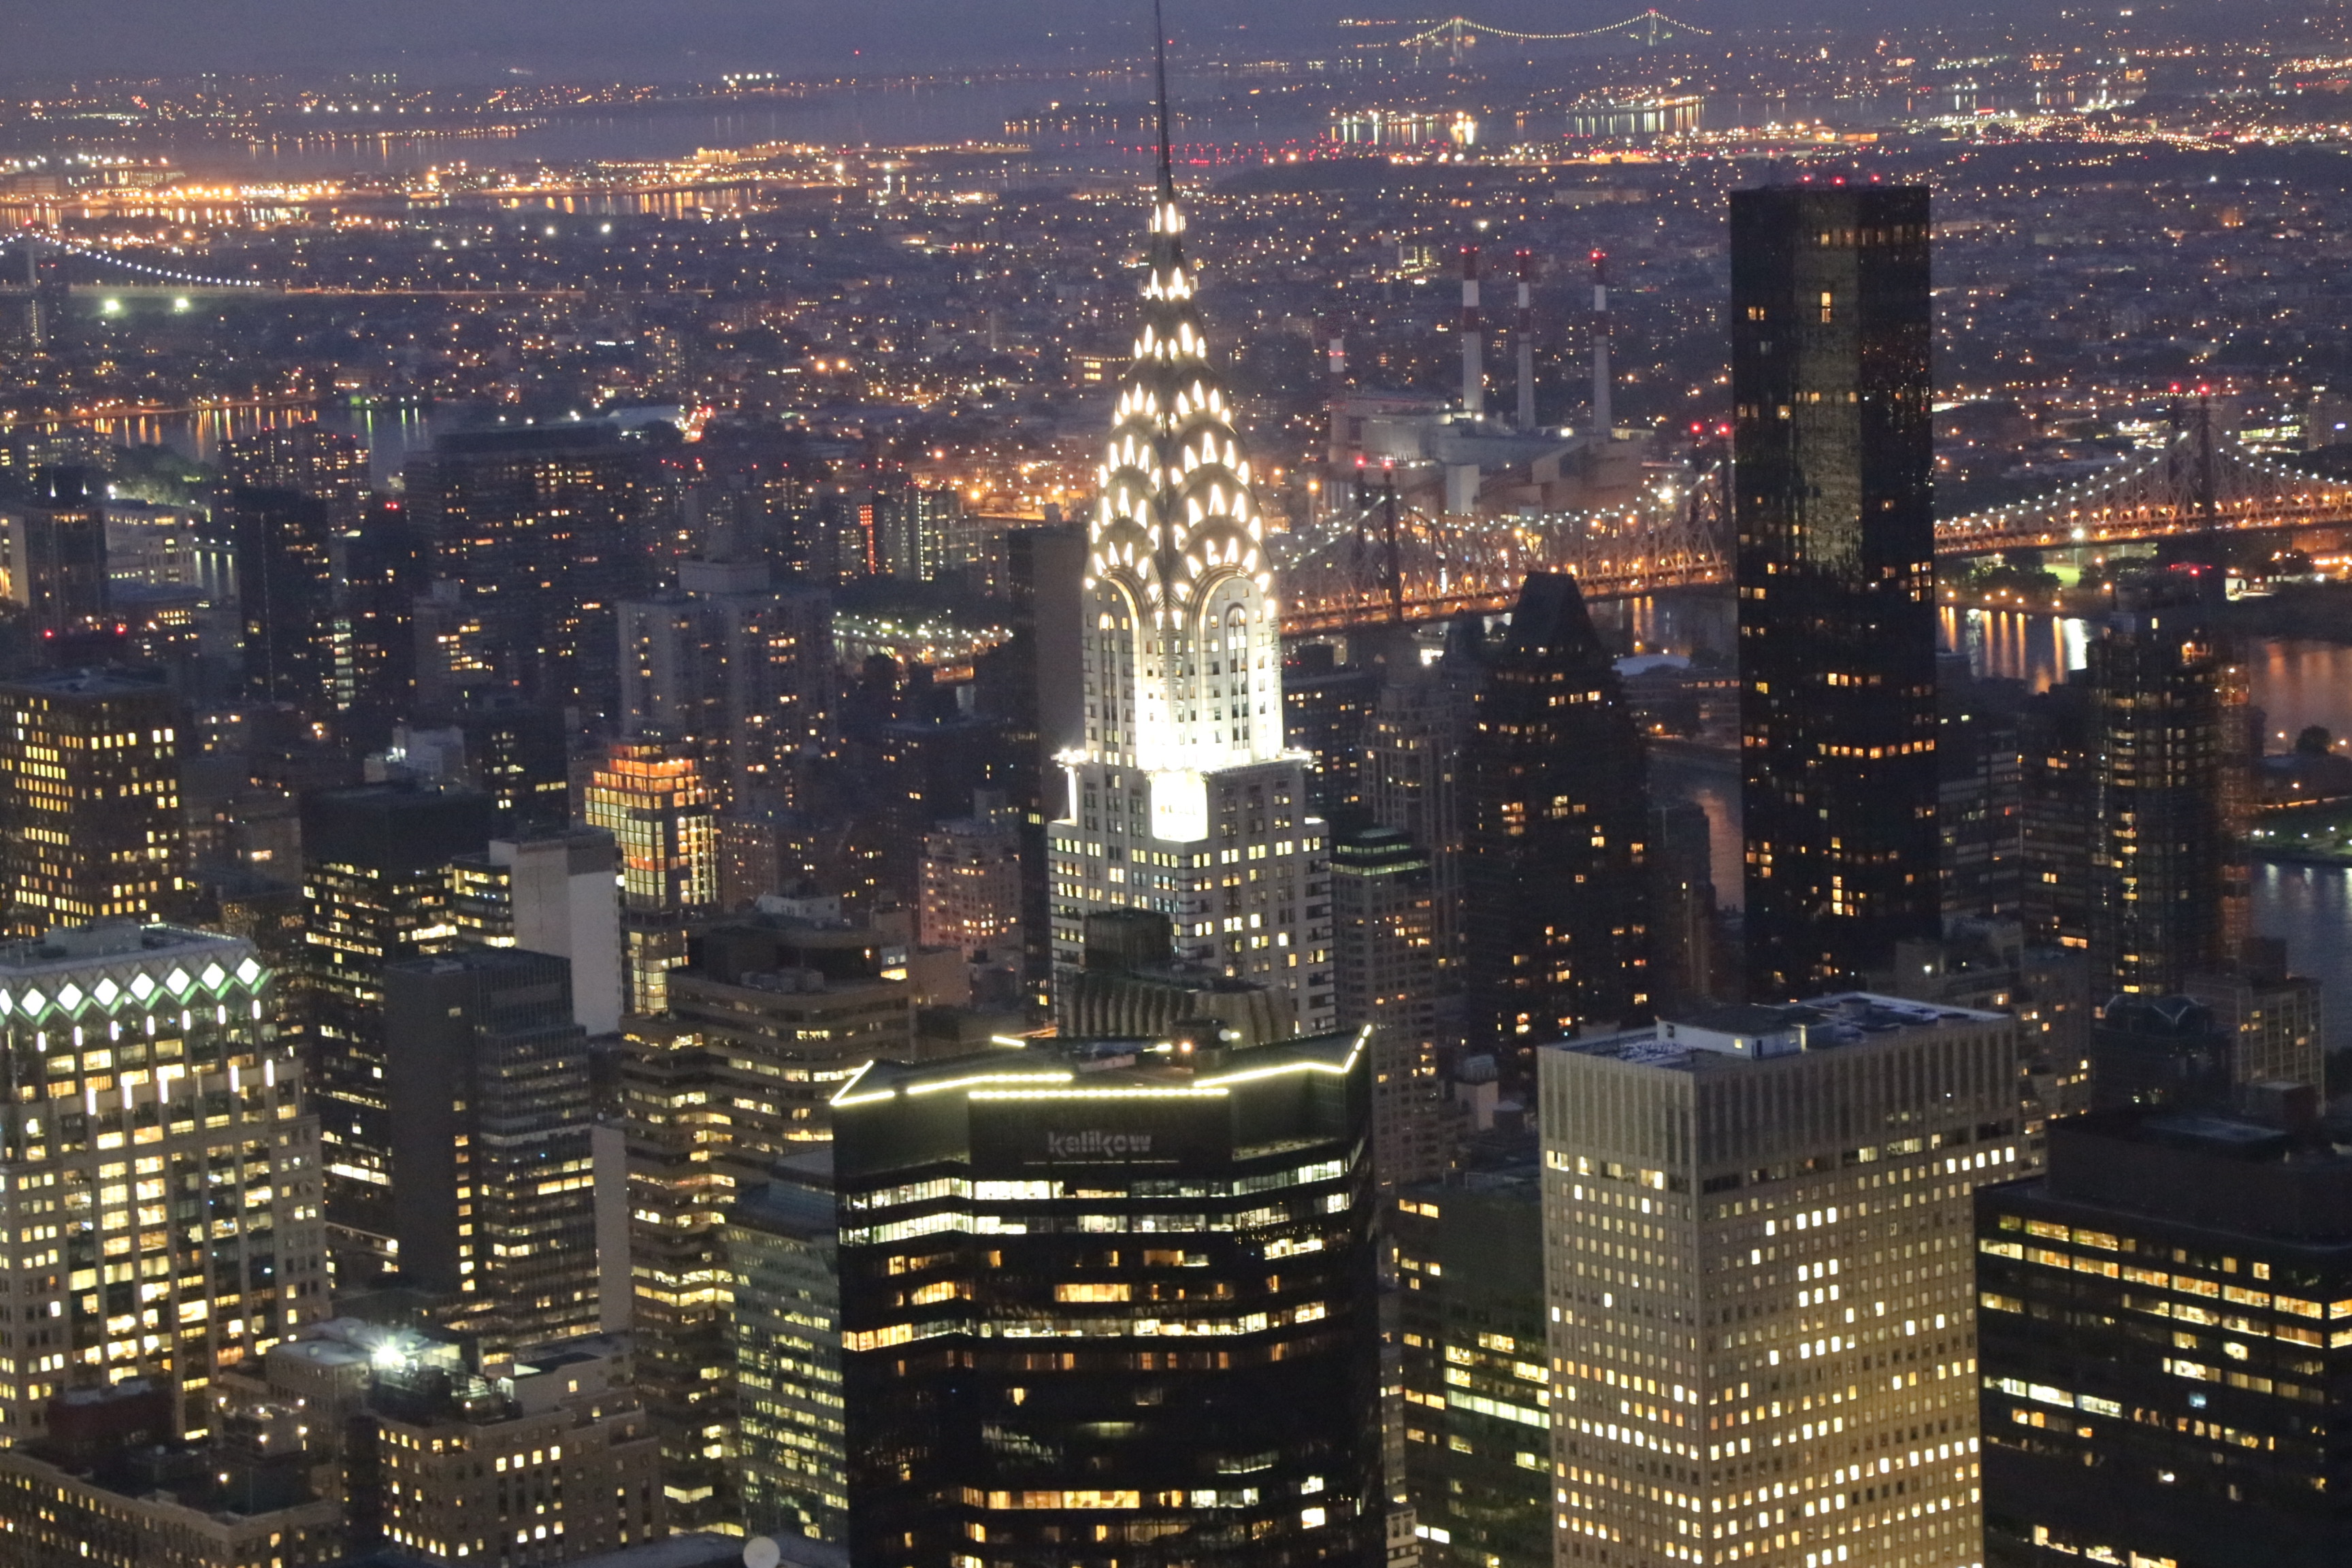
[[1556, 883]]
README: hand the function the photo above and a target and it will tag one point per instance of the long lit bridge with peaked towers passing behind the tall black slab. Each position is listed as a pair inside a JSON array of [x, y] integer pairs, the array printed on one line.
[[1387, 563]]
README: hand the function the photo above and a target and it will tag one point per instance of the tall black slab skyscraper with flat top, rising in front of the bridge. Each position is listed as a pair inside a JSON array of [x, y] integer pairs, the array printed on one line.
[[1836, 572]]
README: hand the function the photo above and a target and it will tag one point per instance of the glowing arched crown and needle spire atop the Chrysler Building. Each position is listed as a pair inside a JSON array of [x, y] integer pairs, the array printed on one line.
[[1182, 652]]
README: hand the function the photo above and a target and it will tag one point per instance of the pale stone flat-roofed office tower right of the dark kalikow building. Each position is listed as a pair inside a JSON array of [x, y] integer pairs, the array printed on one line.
[[1760, 1268]]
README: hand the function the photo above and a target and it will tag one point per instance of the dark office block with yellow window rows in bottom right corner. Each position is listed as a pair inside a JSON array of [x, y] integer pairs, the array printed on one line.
[[2160, 1343]]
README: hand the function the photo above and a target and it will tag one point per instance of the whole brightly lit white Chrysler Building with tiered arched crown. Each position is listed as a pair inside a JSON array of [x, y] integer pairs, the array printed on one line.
[[1184, 796]]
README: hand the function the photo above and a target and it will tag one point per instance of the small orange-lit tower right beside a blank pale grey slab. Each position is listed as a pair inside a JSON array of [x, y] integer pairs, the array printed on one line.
[[653, 798]]
